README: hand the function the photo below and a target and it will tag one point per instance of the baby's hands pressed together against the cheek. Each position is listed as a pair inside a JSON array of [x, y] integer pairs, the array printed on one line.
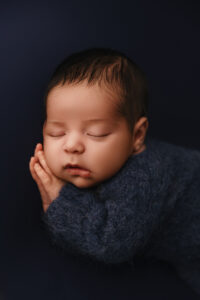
[[48, 184]]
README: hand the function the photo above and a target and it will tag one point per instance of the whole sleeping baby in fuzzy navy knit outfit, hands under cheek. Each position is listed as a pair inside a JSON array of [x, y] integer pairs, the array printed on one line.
[[108, 193]]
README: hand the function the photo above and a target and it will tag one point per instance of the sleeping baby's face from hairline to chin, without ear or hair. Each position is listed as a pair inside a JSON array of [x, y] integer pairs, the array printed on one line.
[[72, 134]]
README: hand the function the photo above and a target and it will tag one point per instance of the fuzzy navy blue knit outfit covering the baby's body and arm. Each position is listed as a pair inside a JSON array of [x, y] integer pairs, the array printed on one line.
[[150, 207]]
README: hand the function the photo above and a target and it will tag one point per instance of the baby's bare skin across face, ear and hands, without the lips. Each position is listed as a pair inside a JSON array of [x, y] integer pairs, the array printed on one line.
[[79, 142]]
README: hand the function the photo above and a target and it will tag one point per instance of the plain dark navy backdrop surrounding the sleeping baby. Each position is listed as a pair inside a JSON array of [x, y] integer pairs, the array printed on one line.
[[163, 38]]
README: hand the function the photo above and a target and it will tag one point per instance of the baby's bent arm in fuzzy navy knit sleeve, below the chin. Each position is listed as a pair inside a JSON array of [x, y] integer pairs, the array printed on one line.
[[109, 223]]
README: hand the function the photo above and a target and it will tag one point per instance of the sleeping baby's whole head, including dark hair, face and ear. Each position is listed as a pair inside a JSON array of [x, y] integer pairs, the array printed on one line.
[[95, 109]]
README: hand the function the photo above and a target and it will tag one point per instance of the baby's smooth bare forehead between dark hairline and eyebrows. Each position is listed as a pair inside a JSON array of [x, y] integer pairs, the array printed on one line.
[[101, 102]]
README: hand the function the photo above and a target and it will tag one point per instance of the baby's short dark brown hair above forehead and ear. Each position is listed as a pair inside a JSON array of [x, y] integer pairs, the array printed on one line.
[[119, 74]]
